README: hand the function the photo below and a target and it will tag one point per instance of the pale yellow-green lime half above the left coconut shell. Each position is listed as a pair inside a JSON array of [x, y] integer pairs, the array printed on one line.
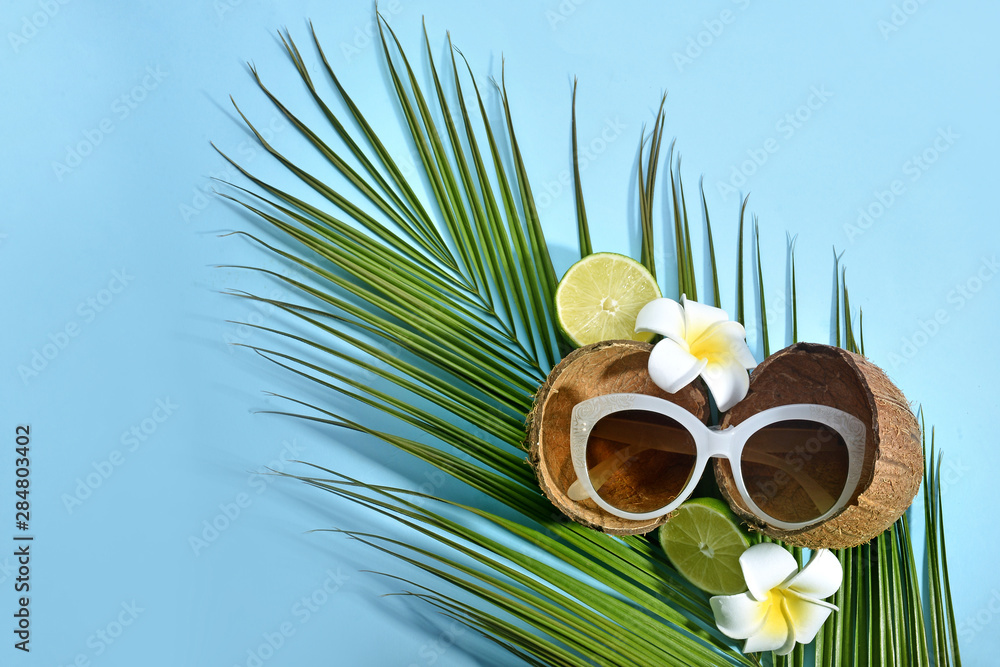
[[600, 297]]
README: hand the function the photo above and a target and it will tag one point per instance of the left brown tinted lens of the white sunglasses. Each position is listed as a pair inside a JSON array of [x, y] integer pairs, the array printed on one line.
[[639, 461]]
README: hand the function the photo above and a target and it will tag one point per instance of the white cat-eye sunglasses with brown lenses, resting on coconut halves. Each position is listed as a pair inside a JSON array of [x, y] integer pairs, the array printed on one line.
[[639, 457]]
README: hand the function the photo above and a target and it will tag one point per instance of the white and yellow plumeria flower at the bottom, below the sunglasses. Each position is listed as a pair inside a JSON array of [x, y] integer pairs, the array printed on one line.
[[784, 605]]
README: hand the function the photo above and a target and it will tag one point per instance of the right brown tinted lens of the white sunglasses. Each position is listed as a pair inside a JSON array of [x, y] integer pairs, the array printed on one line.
[[795, 470]]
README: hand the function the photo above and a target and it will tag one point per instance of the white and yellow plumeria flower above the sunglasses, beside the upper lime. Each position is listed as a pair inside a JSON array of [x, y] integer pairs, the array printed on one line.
[[697, 340]]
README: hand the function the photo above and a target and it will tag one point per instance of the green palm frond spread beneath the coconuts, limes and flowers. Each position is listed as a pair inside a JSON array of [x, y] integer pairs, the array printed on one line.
[[456, 280]]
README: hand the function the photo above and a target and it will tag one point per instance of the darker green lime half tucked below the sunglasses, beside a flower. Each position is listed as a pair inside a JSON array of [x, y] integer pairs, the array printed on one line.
[[704, 541]]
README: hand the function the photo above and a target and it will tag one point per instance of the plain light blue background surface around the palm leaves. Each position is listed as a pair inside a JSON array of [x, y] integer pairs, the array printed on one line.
[[107, 261]]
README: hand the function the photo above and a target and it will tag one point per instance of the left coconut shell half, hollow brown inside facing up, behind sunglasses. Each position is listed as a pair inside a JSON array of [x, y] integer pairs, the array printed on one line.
[[608, 367]]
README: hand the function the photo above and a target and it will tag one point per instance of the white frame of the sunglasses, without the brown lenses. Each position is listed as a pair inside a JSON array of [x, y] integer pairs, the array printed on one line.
[[713, 442]]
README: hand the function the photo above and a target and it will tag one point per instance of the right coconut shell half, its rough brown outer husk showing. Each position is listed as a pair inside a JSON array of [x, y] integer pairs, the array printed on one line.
[[893, 462]]
